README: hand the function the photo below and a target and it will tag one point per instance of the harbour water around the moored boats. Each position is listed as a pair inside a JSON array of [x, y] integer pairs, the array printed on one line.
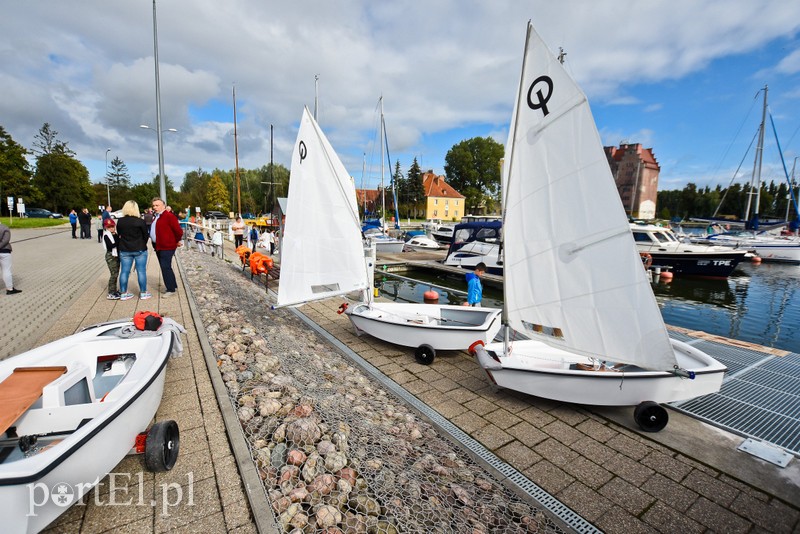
[[758, 304]]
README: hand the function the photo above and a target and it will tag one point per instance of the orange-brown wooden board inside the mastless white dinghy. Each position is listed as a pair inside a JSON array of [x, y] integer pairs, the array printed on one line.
[[22, 388]]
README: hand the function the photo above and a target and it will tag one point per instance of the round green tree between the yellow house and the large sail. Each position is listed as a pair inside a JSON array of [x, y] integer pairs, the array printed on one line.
[[472, 167]]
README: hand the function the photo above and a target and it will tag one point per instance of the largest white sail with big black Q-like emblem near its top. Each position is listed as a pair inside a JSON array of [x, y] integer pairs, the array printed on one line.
[[572, 274]]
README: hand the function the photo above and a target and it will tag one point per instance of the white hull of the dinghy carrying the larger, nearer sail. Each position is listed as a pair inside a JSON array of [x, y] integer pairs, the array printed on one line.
[[537, 369]]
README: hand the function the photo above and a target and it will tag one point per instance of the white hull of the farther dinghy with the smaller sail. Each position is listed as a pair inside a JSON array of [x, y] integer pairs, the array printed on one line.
[[443, 327]]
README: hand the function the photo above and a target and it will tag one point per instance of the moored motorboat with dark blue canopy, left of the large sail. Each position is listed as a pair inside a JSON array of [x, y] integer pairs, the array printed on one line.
[[474, 243]]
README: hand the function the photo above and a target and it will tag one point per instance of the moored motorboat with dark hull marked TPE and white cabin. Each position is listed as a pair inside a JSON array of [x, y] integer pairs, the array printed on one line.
[[663, 249]]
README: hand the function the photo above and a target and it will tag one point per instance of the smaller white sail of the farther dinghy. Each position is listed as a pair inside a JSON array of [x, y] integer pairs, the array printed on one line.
[[322, 252]]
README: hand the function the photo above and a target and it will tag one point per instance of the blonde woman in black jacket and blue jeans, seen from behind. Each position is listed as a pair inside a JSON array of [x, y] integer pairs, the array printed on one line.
[[133, 236]]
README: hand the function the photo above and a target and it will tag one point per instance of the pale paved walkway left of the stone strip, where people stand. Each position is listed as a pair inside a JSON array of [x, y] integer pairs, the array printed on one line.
[[63, 283]]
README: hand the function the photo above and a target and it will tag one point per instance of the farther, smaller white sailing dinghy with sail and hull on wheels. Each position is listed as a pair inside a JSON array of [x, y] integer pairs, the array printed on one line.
[[323, 256]]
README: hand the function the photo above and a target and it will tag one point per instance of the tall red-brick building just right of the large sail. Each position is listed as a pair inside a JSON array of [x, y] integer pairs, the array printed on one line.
[[635, 172]]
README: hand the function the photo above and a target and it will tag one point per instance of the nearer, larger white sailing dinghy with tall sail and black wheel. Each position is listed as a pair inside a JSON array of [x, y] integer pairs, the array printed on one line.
[[574, 282]]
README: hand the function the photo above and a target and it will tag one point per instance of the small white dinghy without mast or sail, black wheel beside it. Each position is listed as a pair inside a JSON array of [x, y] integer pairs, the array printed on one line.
[[72, 410]]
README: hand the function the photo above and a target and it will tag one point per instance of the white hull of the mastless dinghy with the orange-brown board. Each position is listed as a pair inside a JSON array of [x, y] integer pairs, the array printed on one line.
[[29, 486]]
